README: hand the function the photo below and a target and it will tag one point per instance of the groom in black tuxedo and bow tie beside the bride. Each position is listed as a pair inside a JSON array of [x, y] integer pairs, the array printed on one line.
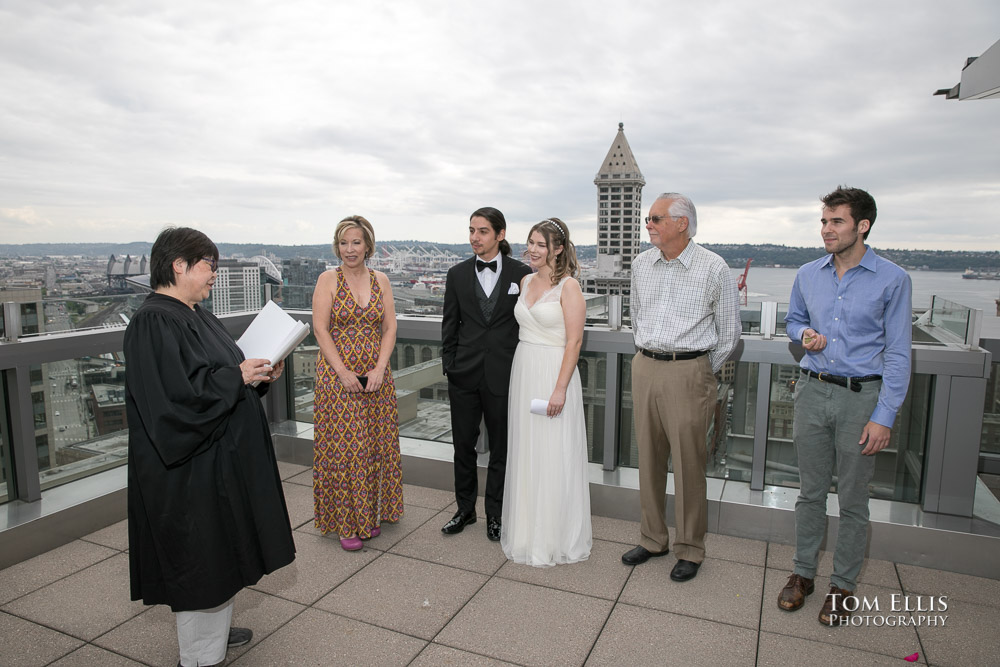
[[479, 336]]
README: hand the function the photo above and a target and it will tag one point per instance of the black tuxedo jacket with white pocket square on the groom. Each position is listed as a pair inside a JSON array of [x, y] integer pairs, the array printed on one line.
[[472, 349]]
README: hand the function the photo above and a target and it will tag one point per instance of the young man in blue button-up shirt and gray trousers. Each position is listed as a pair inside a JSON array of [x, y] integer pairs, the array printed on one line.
[[851, 310]]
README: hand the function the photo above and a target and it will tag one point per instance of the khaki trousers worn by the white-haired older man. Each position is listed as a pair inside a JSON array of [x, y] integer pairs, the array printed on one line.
[[673, 405]]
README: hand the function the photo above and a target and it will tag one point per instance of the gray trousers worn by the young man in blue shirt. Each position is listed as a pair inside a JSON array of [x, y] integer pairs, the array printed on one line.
[[828, 423]]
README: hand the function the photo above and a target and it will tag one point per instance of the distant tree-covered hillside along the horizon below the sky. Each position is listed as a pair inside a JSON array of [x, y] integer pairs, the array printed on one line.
[[735, 255]]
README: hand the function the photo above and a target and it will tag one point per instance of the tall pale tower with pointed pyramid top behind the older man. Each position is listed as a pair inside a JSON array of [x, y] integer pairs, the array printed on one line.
[[619, 208]]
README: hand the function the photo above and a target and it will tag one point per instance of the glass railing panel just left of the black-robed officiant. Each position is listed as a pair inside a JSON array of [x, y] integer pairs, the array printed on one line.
[[80, 424]]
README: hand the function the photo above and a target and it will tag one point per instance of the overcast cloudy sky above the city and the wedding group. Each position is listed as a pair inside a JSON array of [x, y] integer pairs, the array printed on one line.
[[269, 121]]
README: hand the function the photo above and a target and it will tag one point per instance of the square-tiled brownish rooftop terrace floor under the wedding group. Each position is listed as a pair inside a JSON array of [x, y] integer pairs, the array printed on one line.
[[416, 597]]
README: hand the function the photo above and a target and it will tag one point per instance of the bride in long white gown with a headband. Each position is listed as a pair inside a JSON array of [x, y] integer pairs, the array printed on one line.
[[546, 504]]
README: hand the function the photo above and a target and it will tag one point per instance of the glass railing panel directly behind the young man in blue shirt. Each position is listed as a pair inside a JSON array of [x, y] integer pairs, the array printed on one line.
[[899, 468]]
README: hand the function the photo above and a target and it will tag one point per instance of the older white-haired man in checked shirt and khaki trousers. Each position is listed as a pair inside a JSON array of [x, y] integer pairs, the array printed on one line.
[[686, 322]]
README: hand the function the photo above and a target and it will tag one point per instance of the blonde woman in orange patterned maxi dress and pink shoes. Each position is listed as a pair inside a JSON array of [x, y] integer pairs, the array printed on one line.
[[357, 479]]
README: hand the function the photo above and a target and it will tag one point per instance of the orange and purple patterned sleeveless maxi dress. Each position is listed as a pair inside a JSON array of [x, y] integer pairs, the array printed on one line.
[[357, 479]]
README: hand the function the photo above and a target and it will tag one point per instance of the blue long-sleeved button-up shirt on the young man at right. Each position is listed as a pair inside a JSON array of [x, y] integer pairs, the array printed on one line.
[[866, 318]]
